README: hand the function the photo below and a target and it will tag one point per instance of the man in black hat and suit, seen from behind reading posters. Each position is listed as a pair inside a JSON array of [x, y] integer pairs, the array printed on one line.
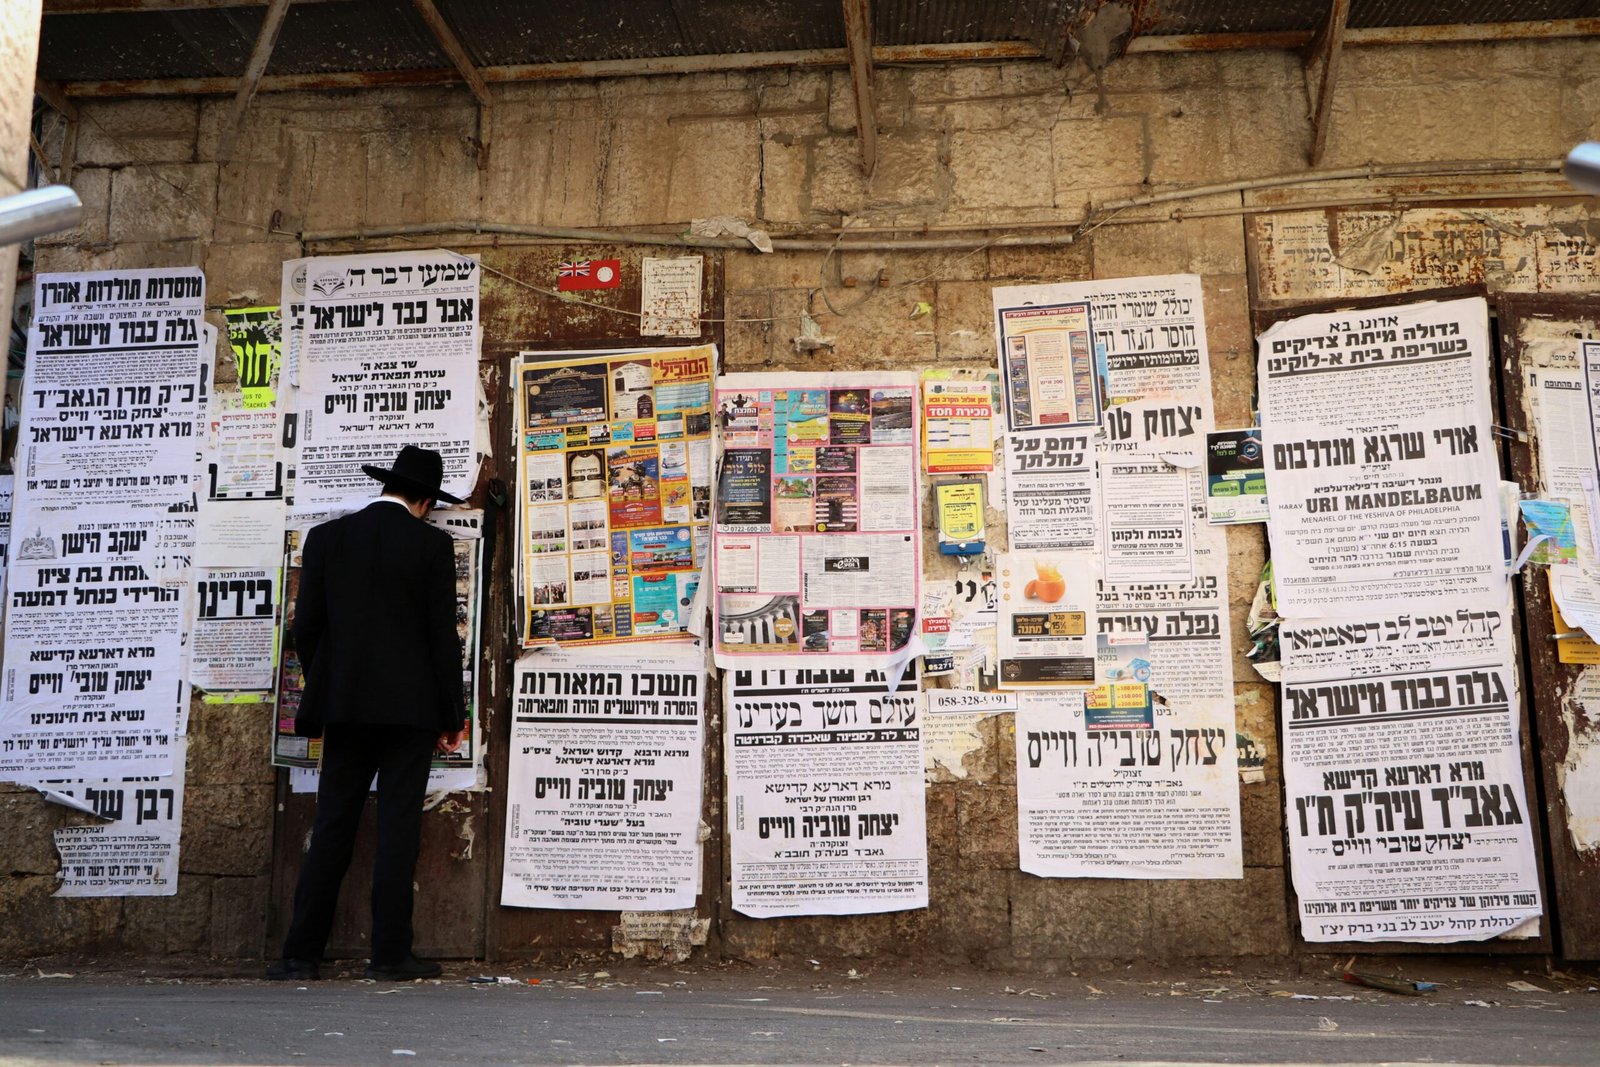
[[375, 629]]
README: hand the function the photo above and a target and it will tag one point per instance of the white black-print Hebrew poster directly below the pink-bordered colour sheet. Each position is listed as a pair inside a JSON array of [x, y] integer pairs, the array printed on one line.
[[826, 797]]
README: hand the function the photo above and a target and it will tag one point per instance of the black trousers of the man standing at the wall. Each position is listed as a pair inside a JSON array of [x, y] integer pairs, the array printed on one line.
[[401, 757]]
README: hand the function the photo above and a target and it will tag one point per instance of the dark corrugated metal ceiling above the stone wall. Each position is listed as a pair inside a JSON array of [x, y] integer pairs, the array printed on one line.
[[338, 36]]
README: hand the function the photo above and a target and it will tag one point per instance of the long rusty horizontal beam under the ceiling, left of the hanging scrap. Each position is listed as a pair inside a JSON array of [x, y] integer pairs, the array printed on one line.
[[892, 55]]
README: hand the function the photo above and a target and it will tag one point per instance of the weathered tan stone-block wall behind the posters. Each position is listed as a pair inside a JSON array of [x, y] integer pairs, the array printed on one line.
[[962, 146]]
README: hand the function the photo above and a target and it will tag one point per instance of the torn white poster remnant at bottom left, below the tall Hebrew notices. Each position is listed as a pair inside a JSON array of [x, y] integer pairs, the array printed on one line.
[[132, 849]]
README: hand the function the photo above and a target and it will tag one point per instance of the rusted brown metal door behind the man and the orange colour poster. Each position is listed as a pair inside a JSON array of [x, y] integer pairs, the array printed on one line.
[[458, 913]]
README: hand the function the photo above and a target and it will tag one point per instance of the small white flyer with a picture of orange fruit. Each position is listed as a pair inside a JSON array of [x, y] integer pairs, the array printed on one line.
[[1047, 620]]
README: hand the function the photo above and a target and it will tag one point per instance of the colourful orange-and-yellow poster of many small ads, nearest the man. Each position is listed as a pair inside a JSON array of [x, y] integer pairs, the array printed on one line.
[[614, 481]]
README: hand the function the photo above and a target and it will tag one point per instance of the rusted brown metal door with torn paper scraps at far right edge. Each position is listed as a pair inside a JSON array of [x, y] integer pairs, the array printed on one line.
[[1542, 334]]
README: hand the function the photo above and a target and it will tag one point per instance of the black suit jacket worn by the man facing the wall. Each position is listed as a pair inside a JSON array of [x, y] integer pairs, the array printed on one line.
[[375, 625]]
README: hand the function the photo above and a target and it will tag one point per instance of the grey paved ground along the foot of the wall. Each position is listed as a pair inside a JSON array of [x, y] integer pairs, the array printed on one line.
[[801, 1015]]
